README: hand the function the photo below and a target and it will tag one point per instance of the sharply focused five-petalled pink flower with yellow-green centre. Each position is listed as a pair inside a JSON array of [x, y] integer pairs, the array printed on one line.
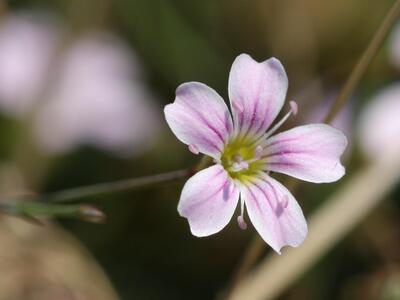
[[244, 154]]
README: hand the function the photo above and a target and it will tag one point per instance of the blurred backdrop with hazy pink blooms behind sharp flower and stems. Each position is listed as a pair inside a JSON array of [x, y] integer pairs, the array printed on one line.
[[82, 88]]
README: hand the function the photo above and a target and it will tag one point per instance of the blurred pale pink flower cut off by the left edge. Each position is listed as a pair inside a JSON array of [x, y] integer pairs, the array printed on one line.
[[27, 42]]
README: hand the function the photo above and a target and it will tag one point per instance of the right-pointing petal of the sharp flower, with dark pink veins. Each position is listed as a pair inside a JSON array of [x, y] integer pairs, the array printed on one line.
[[311, 153]]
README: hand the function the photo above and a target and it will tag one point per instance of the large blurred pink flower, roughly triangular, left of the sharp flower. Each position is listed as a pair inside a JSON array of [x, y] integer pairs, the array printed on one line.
[[99, 99]]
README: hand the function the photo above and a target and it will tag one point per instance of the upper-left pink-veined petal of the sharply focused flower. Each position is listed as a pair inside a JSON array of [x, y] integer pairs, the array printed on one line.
[[199, 117]]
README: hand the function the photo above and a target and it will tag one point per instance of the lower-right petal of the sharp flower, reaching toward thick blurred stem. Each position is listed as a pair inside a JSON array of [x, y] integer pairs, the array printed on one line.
[[275, 213]]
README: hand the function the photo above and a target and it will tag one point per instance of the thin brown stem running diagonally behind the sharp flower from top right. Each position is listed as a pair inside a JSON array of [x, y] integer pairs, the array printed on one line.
[[255, 249]]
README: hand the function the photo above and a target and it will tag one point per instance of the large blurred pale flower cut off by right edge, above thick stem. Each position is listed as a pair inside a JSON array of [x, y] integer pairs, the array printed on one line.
[[379, 126]]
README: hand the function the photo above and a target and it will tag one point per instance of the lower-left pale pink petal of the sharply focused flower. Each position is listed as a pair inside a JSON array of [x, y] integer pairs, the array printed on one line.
[[208, 201]]
